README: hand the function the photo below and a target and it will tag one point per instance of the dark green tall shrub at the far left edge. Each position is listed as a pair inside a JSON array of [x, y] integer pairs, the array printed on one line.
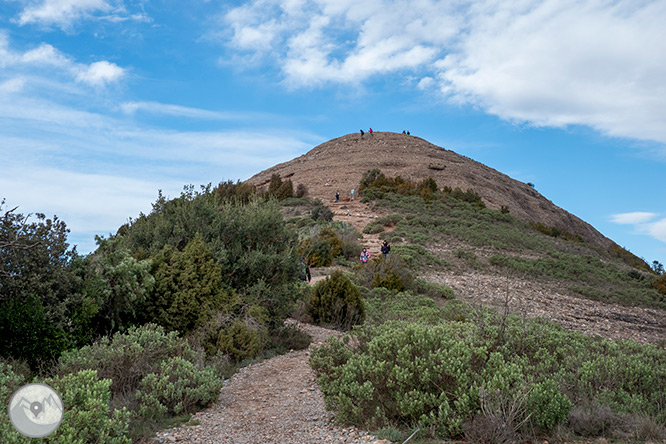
[[38, 288]]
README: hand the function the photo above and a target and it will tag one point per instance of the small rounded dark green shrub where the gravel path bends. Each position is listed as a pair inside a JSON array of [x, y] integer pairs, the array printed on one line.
[[336, 300]]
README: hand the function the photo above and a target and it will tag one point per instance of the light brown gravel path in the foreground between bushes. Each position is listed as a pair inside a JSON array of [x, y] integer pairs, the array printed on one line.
[[273, 401]]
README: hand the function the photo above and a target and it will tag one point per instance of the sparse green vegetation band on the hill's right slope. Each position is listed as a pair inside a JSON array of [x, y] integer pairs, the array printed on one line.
[[587, 270]]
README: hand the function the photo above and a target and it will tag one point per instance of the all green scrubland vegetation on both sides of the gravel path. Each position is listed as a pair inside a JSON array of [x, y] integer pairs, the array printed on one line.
[[142, 332]]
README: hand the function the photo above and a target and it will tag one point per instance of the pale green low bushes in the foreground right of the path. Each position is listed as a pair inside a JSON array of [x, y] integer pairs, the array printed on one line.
[[496, 373]]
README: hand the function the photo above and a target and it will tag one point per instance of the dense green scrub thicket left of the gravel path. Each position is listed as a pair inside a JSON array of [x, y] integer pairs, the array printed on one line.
[[142, 332]]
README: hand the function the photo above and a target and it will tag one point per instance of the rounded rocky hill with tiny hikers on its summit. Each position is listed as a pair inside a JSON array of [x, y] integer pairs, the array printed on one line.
[[487, 256]]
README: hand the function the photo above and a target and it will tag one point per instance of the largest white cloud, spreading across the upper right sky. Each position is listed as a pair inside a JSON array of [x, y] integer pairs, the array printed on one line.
[[597, 63]]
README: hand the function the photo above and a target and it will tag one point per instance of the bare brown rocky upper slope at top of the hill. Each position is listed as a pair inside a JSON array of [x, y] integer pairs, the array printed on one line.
[[339, 165]]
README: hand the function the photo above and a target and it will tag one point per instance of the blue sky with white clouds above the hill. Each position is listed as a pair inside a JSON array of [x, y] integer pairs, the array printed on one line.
[[105, 102]]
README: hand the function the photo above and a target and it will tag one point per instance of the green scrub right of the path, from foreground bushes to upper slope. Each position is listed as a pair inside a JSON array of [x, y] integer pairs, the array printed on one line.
[[424, 360]]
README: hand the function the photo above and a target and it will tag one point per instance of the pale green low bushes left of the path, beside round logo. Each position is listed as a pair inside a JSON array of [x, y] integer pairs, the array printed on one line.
[[155, 374]]
